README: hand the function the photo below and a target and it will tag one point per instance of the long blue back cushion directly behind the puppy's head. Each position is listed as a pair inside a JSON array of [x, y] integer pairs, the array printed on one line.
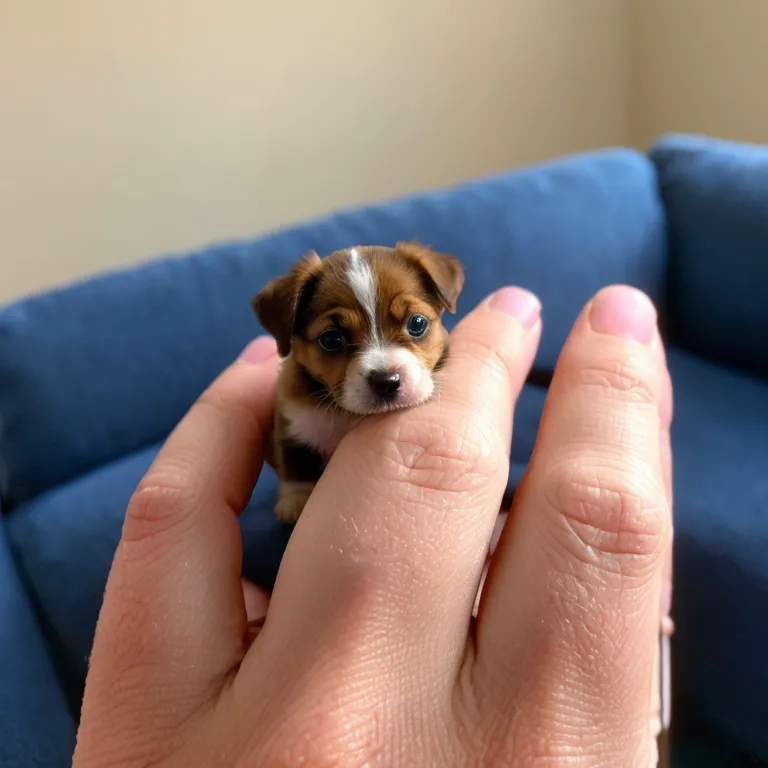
[[104, 368]]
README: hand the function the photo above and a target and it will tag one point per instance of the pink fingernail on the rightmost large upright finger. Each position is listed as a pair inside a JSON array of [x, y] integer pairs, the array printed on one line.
[[624, 311]]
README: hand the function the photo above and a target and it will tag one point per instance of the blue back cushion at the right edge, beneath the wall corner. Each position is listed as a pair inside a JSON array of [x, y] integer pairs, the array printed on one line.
[[716, 195]]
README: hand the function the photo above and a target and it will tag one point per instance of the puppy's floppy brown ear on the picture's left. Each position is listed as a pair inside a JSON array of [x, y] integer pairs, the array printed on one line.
[[277, 302]]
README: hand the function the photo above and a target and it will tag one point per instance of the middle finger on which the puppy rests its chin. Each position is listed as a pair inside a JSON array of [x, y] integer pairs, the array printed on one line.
[[395, 534]]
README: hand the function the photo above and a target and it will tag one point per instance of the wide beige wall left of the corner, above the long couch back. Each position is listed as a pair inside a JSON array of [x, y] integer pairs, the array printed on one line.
[[135, 128]]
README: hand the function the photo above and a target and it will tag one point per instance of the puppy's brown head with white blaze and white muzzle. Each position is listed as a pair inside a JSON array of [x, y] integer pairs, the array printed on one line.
[[364, 324]]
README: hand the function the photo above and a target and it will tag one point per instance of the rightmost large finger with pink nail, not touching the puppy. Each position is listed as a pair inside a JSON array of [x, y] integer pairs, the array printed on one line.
[[569, 619]]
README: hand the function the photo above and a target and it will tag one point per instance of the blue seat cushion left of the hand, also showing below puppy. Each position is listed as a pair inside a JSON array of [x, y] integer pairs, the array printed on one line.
[[64, 541]]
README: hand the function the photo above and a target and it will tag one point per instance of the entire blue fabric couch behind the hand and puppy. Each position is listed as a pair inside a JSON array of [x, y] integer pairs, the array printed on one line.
[[93, 377]]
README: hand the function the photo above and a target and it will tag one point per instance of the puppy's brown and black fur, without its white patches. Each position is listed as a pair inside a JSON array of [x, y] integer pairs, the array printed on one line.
[[316, 295]]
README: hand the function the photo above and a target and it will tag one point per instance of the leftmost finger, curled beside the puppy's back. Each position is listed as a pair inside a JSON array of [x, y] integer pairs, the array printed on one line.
[[173, 618]]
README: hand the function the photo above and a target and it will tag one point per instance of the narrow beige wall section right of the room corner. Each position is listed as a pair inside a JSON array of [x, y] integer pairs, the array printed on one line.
[[702, 67]]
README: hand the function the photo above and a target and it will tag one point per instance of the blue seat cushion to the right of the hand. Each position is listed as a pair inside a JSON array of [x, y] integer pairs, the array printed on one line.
[[721, 570]]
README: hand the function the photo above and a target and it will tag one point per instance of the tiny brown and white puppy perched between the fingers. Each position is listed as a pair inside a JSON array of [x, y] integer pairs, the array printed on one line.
[[360, 332]]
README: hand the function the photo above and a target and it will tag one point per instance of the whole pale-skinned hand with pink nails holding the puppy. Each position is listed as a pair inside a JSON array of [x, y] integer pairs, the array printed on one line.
[[369, 655]]
